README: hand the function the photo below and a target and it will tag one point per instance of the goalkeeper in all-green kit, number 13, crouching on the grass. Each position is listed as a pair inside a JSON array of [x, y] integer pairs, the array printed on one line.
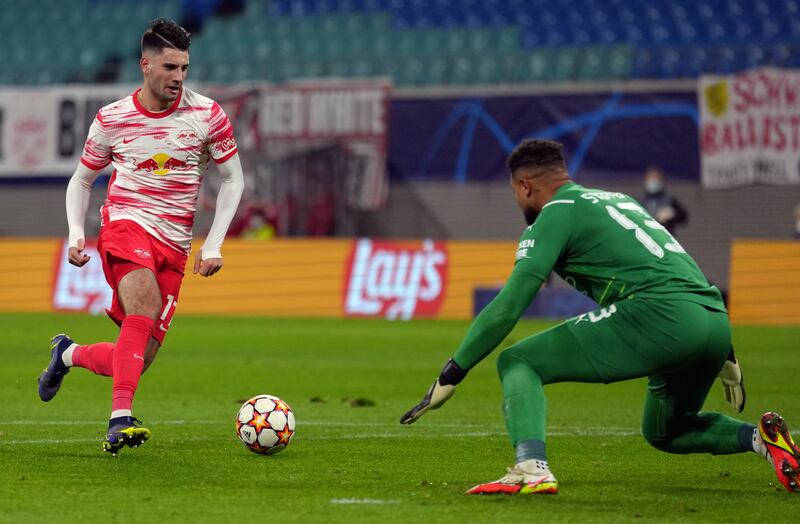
[[658, 318]]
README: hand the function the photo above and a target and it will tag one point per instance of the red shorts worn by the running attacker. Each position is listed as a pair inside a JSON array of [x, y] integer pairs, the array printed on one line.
[[125, 246]]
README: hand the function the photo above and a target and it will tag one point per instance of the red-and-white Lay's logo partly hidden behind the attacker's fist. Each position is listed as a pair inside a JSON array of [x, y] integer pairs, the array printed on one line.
[[80, 289]]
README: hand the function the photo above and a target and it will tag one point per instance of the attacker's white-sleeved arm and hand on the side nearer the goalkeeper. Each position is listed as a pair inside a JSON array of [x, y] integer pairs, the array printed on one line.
[[209, 258]]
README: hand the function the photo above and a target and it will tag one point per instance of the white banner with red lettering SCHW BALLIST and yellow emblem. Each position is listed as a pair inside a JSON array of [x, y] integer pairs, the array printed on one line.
[[750, 128]]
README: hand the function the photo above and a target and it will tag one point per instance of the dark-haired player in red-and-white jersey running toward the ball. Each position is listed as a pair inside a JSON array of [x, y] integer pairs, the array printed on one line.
[[159, 141]]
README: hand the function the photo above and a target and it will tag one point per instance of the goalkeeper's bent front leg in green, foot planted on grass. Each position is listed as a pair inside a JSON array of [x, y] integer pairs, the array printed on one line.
[[620, 342]]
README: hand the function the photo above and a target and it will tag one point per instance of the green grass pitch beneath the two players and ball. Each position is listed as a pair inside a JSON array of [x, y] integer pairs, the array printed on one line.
[[195, 470]]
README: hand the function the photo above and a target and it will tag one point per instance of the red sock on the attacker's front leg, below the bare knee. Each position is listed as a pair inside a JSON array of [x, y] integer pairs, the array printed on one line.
[[128, 359]]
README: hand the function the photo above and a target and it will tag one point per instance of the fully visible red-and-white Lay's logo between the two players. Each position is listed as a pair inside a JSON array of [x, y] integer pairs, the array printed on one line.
[[394, 281]]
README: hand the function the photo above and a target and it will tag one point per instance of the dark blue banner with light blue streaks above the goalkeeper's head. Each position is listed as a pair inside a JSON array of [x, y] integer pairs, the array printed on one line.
[[605, 135]]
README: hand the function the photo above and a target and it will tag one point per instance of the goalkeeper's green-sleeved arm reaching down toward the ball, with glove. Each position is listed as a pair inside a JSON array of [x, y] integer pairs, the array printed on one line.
[[547, 241]]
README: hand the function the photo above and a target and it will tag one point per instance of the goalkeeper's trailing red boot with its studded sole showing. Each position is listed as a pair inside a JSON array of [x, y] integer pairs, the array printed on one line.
[[782, 452]]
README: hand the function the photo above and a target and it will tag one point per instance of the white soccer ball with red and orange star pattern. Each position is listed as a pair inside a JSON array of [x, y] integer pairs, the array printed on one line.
[[265, 424]]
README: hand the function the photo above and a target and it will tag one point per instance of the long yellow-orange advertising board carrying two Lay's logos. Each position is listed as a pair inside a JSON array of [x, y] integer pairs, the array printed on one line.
[[285, 277]]
